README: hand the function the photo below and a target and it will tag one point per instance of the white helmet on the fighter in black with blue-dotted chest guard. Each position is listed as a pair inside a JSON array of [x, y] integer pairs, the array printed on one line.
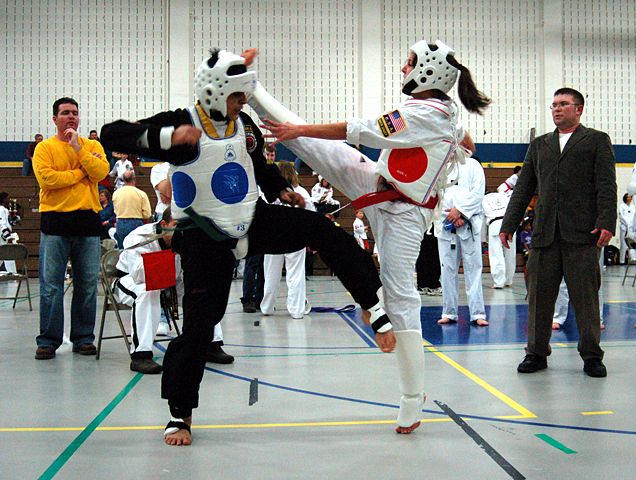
[[212, 85]]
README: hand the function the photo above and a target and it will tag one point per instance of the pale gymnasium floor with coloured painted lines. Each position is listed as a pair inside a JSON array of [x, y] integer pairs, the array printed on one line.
[[327, 400]]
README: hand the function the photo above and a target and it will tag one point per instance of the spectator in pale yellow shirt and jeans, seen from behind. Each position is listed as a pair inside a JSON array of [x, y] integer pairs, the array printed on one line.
[[132, 208]]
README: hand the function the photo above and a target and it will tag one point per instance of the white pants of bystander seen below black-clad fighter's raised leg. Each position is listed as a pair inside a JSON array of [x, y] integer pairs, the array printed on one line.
[[295, 277]]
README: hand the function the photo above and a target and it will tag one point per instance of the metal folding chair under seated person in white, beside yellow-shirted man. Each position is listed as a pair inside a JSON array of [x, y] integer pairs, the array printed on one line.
[[108, 275]]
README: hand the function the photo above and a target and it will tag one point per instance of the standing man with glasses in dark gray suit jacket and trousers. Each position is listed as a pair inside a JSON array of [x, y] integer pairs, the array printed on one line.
[[572, 169]]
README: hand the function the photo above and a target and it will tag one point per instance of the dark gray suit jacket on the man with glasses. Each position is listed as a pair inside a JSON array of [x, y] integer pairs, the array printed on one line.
[[576, 188]]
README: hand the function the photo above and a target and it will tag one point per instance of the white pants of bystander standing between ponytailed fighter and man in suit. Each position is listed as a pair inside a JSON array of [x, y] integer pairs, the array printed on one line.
[[470, 251]]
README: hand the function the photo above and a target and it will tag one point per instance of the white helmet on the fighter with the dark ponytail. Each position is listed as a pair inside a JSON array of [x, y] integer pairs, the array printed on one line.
[[432, 70]]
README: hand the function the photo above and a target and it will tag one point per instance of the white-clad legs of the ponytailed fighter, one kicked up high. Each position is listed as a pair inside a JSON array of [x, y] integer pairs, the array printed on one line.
[[398, 234]]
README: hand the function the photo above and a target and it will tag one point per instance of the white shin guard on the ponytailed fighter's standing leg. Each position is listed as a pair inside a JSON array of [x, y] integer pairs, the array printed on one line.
[[410, 358]]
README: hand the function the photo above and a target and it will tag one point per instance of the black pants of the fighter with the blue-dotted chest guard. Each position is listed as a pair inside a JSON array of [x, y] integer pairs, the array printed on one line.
[[208, 266]]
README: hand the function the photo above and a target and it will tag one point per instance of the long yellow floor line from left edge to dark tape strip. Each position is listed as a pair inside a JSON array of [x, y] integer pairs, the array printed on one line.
[[227, 426]]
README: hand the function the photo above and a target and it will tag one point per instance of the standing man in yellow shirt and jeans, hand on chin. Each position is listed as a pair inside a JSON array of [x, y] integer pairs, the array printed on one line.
[[68, 168]]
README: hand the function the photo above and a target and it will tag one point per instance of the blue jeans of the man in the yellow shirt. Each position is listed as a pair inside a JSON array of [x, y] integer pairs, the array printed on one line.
[[84, 253]]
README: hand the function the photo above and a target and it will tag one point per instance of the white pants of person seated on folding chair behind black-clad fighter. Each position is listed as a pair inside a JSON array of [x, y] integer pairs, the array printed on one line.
[[146, 311]]
